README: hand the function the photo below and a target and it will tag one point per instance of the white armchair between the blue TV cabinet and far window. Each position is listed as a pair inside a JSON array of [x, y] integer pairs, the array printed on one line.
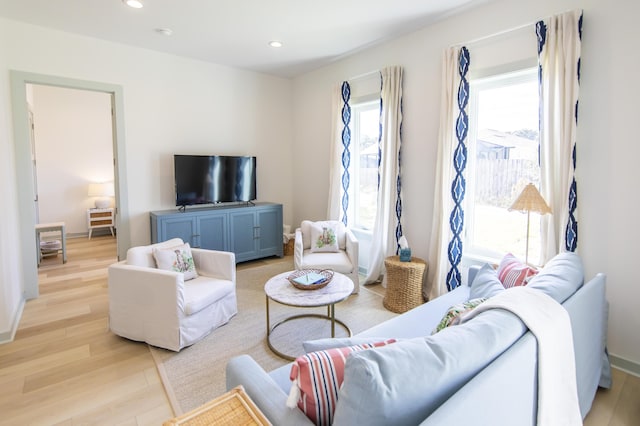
[[342, 259]]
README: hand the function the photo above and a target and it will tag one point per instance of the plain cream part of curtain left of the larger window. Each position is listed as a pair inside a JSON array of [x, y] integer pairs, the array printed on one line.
[[443, 203]]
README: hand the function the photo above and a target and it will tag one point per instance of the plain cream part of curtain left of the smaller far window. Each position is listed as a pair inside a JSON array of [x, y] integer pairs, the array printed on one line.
[[334, 210]]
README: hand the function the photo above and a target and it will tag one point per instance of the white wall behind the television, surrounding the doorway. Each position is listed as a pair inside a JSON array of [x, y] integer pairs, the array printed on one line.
[[171, 105]]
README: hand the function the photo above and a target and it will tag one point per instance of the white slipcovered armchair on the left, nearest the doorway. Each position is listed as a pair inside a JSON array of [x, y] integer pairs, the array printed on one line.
[[161, 308]]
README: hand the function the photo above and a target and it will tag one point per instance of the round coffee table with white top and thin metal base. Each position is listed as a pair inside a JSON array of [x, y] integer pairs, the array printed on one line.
[[280, 290]]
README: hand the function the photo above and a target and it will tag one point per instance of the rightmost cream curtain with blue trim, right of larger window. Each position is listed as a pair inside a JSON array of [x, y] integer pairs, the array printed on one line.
[[559, 44]]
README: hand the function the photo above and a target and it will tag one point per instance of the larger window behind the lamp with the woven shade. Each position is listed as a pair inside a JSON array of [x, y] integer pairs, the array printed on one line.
[[502, 159]]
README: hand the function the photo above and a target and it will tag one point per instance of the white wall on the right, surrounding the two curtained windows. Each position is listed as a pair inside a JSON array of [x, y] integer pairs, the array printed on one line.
[[607, 145]]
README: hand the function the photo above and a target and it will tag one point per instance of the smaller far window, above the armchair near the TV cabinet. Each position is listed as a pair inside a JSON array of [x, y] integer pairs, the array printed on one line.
[[365, 132]]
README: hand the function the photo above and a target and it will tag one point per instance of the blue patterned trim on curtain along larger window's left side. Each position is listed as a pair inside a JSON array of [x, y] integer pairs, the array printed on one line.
[[458, 186]]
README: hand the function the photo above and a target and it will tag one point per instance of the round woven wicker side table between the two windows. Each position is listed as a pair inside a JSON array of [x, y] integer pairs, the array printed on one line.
[[404, 283]]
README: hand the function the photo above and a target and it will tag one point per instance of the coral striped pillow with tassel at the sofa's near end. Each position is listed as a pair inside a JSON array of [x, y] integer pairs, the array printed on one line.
[[317, 377]]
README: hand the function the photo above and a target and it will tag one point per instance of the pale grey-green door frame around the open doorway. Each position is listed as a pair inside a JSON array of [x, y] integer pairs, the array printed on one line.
[[24, 167]]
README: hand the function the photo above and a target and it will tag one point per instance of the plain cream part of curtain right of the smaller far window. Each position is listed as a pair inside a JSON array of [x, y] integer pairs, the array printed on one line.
[[387, 227]]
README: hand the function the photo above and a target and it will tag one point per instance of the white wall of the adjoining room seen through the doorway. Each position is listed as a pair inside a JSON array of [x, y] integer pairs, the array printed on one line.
[[74, 147]]
